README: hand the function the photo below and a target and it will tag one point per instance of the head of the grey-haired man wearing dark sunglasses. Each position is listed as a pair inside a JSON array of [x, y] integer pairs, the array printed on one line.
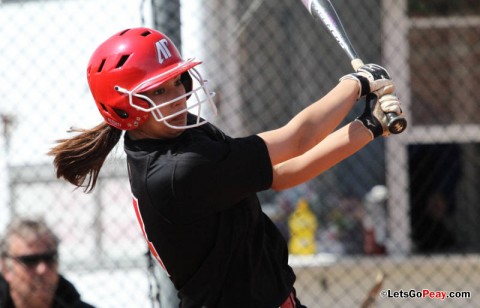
[[29, 262]]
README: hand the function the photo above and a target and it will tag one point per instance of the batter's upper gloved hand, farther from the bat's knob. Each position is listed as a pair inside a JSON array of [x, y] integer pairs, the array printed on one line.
[[371, 78]]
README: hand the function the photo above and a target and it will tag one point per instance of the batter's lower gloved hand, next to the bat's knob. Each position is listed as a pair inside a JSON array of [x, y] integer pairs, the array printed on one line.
[[373, 116]]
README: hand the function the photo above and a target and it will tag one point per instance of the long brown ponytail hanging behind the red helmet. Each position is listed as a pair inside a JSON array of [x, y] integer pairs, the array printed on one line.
[[80, 158]]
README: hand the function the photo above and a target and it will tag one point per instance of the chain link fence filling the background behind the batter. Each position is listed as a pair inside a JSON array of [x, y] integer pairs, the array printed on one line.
[[403, 212]]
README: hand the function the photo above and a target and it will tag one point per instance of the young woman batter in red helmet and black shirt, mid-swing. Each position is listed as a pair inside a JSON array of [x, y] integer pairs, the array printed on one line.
[[194, 188]]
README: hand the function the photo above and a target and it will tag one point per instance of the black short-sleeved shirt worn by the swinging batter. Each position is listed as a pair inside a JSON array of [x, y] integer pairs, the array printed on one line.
[[195, 197]]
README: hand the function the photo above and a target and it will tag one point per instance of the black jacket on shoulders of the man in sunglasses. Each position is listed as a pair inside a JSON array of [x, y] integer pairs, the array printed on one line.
[[66, 296]]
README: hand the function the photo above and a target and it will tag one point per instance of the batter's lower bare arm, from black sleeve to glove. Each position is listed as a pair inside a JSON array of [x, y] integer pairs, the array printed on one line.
[[332, 150]]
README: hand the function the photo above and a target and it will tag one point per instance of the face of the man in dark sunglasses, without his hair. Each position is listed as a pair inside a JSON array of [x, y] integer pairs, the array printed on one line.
[[31, 270]]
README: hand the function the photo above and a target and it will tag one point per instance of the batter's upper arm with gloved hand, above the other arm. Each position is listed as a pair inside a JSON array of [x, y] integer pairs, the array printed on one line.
[[318, 120]]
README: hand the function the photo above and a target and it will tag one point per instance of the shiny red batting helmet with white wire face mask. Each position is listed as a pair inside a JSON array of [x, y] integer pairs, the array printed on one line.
[[132, 62]]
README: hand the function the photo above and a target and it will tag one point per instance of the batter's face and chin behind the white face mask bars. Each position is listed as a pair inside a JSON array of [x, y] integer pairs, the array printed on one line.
[[167, 91]]
